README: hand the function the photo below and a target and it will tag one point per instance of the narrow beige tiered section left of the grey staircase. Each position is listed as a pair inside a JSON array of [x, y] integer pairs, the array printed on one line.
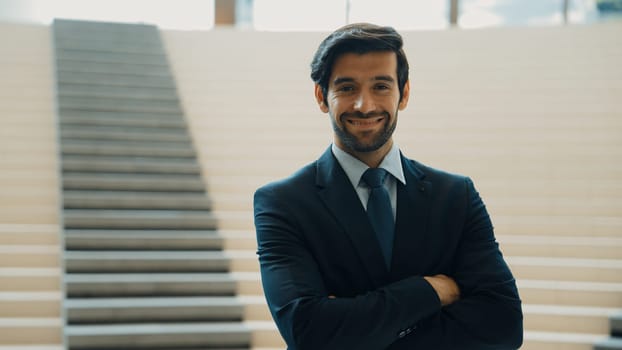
[[30, 275]]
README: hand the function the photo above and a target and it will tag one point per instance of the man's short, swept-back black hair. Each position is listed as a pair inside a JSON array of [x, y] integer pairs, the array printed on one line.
[[359, 38]]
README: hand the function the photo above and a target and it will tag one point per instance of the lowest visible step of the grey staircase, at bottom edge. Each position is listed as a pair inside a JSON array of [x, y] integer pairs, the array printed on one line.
[[158, 335]]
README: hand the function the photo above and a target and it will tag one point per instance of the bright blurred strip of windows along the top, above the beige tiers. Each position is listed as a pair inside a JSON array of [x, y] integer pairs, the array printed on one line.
[[321, 15]]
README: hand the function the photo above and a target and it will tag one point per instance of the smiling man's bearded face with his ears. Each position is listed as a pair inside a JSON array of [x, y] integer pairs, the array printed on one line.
[[362, 100]]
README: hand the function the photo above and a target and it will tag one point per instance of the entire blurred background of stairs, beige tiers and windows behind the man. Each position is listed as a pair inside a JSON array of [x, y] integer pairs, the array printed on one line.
[[134, 133]]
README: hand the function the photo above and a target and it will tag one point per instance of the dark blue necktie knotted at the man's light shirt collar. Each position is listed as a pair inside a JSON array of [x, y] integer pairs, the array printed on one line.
[[379, 211]]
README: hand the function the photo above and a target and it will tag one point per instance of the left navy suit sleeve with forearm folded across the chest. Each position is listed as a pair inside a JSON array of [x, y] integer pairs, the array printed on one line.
[[299, 302]]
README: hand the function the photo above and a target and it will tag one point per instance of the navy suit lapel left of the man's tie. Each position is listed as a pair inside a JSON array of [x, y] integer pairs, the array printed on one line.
[[341, 199]]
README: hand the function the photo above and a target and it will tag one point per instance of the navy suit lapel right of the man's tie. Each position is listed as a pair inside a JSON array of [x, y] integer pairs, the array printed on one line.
[[411, 229]]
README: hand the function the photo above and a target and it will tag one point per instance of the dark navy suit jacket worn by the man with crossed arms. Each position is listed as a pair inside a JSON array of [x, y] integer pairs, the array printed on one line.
[[315, 240]]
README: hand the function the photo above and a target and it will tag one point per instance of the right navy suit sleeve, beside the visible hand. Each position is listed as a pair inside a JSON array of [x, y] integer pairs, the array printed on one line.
[[488, 314]]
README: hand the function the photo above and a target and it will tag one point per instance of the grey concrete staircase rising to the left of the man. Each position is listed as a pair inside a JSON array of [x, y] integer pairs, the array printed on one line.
[[144, 262]]
